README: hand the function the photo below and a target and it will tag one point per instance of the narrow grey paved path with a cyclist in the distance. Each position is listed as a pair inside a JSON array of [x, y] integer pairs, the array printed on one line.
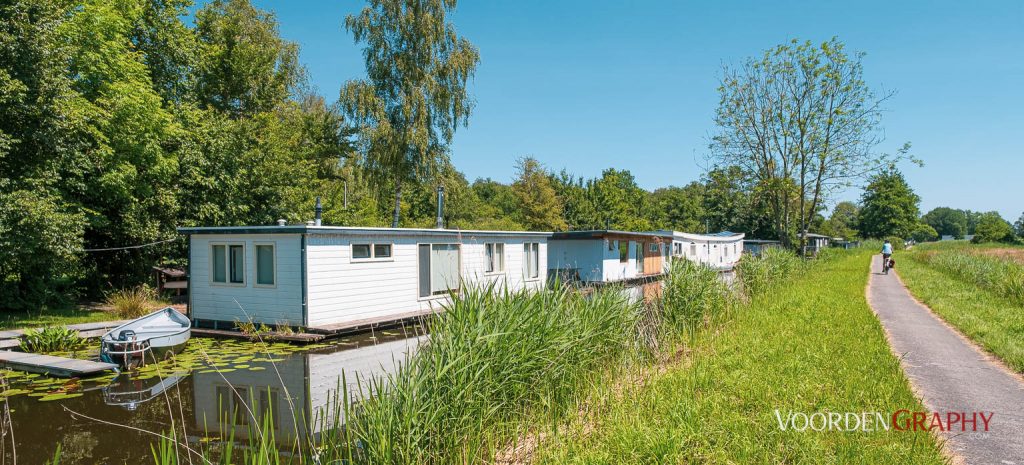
[[951, 374]]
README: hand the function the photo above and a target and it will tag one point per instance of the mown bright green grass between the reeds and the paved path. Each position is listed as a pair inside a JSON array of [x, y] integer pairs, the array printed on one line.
[[813, 346]]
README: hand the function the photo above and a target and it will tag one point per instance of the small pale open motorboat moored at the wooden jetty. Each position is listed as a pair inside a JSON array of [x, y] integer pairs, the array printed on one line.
[[147, 340]]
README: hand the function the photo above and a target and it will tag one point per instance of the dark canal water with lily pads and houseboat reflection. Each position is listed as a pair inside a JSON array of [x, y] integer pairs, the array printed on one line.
[[205, 390]]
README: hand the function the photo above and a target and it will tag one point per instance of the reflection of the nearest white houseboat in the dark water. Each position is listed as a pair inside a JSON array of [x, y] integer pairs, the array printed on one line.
[[297, 394]]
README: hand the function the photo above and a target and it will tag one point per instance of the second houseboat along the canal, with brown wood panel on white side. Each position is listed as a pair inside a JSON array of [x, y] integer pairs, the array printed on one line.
[[609, 257]]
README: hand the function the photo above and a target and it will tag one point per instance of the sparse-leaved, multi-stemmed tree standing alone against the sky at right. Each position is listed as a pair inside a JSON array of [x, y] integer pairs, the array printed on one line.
[[801, 122]]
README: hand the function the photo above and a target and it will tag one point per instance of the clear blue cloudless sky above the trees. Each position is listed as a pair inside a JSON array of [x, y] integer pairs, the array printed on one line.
[[592, 84]]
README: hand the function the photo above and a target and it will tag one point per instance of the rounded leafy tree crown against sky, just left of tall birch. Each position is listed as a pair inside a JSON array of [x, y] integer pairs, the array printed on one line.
[[245, 67]]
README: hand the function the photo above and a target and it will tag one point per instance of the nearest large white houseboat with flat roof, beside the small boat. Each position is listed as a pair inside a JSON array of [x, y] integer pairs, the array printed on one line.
[[332, 279]]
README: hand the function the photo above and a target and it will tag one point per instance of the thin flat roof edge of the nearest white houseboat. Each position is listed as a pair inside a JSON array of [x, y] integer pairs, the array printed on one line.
[[354, 231]]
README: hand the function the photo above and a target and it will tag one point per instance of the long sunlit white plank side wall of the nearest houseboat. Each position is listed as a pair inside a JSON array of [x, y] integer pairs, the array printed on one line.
[[342, 289]]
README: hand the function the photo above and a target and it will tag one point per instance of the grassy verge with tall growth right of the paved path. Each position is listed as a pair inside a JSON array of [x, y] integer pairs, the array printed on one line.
[[986, 314]]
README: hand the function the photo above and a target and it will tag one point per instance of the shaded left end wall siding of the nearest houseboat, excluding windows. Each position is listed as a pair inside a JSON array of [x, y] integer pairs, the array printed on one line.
[[281, 304]]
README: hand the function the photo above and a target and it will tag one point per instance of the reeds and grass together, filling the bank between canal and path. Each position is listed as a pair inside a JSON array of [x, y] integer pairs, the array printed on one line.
[[561, 376]]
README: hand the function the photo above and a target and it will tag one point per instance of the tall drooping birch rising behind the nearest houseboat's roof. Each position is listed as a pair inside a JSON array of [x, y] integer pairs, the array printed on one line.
[[415, 97]]
